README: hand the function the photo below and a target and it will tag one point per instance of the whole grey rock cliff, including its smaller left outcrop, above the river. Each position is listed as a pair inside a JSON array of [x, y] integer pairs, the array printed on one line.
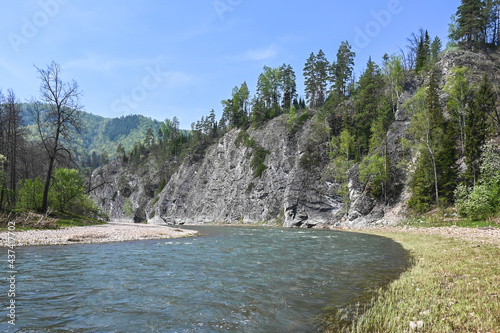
[[221, 187]]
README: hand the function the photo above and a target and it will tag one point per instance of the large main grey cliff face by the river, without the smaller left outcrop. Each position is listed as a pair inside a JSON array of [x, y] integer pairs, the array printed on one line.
[[222, 187]]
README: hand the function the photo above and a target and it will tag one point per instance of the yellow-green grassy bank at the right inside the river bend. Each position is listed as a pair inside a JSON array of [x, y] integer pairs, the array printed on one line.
[[453, 286]]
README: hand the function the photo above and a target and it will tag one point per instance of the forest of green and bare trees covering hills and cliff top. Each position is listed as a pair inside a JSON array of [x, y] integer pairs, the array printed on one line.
[[47, 153]]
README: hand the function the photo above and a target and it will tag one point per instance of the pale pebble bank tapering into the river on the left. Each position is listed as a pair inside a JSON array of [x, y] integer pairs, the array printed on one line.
[[104, 233]]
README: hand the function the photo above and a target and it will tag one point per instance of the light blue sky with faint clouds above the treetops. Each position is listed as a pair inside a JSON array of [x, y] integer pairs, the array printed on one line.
[[181, 58]]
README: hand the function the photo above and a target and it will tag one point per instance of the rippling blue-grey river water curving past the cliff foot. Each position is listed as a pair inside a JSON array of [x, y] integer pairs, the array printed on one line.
[[232, 279]]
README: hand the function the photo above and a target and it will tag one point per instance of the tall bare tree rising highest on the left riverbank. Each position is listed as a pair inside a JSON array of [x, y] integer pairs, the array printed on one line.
[[57, 116]]
